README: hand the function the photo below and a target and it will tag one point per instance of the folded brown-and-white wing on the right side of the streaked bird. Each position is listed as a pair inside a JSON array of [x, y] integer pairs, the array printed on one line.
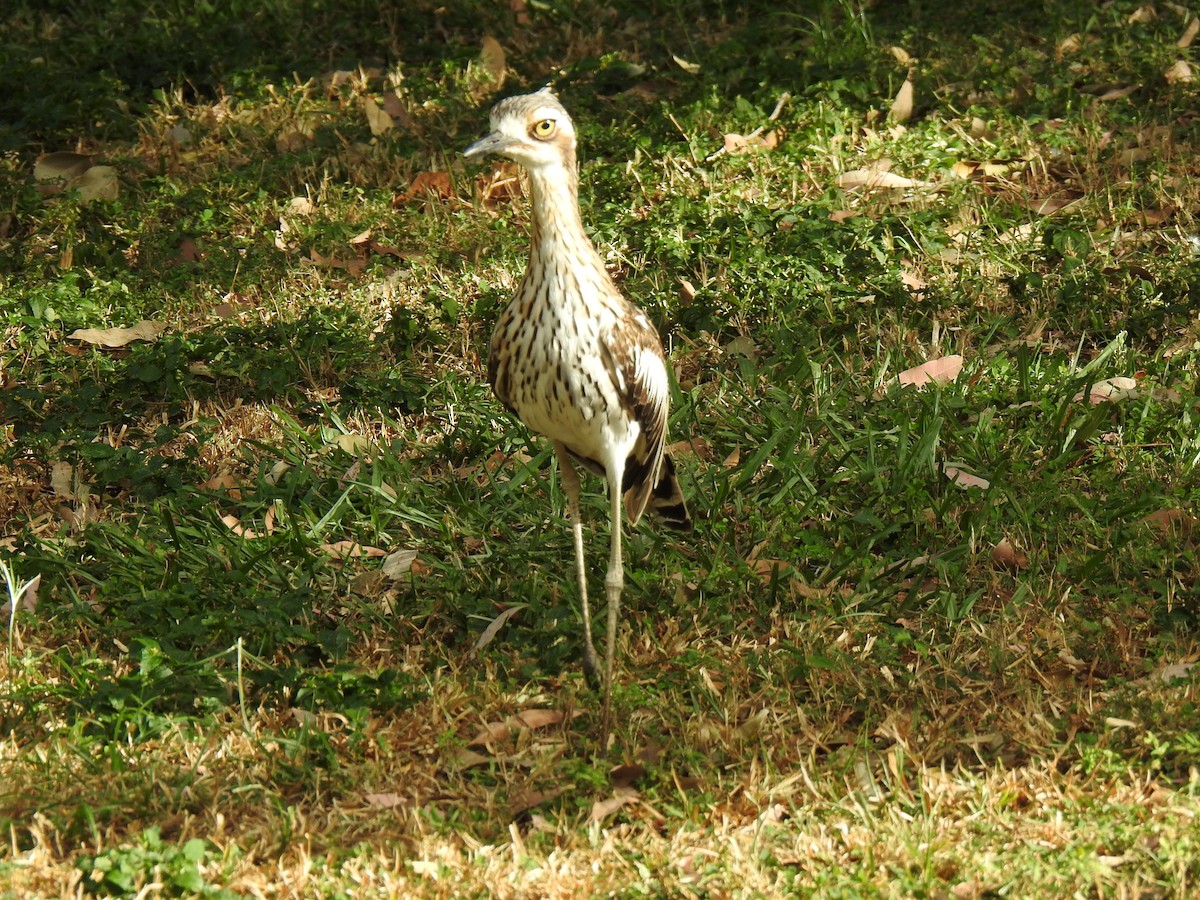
[[634, 356]]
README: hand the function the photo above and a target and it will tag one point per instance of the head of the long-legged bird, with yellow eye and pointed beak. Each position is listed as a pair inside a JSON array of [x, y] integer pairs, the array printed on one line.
[[532, 130]]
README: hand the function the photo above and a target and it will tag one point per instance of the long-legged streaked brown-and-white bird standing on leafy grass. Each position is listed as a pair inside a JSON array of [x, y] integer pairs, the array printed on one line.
[[577, 362]]
